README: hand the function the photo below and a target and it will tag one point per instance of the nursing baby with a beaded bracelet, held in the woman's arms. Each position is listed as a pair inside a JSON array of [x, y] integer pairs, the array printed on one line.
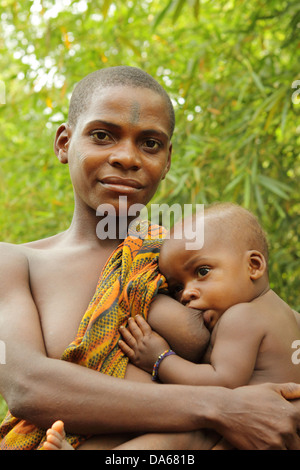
[[252, 329]]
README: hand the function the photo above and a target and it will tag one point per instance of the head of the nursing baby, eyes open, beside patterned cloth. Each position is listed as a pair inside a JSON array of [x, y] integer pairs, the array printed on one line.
[[230, 268]]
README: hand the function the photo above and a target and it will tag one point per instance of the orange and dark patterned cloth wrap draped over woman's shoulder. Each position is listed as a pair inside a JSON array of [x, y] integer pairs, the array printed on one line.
[[127, 285]]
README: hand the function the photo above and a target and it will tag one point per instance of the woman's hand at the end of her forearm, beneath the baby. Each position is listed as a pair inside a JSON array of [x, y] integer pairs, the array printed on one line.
[[257, 417]]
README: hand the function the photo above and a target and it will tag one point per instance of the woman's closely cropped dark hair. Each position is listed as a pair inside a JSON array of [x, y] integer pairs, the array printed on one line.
[[114, 76]]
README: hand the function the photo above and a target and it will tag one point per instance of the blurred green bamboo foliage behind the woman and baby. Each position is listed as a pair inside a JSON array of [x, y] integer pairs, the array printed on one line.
[[232, 70]]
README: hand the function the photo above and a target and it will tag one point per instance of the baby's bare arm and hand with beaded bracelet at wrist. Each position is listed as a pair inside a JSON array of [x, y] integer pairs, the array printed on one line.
[[232, 360]]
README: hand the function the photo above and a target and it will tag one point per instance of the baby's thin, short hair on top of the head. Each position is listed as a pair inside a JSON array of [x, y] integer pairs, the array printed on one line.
[[243, 223]]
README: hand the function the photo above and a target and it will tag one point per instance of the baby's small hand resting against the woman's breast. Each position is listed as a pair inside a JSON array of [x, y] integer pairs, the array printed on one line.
[[141, 344]]
